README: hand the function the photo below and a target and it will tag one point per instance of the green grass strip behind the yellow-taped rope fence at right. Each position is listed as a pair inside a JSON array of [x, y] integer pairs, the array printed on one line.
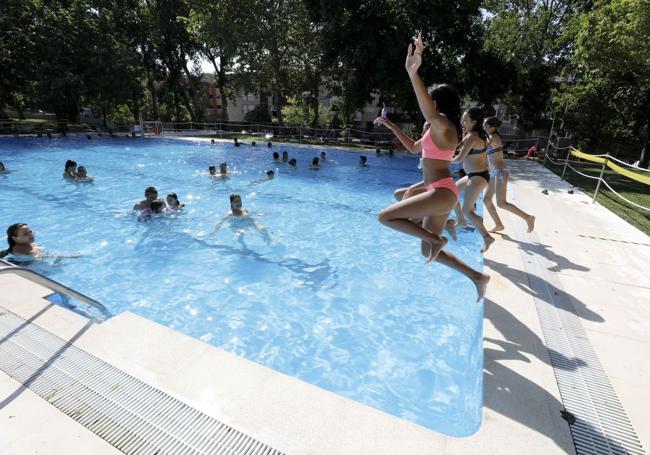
[[636, 192]]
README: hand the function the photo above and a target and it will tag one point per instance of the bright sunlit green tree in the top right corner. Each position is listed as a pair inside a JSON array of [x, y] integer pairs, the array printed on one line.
[[609, 77]]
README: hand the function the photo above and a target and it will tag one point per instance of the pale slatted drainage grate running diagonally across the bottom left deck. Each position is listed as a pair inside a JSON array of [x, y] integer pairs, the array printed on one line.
[[129, 414]]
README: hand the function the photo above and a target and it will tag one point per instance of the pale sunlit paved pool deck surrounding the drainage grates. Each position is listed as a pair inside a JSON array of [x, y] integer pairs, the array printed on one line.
[[584, 252]]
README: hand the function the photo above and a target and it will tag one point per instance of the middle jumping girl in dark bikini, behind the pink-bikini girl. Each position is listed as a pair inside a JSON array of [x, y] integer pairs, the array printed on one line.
[[473, 156]]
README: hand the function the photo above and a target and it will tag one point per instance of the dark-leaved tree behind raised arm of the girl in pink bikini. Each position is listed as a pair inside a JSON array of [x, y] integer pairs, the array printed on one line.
[[365, 42]]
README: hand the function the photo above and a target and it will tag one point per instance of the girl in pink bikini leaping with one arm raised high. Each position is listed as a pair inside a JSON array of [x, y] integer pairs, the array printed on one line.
[[437, 195]]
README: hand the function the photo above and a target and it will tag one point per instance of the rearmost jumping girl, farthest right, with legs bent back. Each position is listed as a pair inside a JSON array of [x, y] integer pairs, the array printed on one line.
[[499, 177]]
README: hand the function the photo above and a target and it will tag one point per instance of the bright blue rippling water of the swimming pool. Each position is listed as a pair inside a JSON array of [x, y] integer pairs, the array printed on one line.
[[320, 290]]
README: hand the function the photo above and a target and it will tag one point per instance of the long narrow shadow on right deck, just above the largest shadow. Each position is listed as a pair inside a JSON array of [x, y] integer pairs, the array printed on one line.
[[541, 289]]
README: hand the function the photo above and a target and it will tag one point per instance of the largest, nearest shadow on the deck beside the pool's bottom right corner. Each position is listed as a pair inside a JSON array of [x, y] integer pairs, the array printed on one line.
[[516, 397]]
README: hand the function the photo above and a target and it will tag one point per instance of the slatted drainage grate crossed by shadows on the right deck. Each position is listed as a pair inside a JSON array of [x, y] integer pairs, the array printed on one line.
[[601, 424]]
